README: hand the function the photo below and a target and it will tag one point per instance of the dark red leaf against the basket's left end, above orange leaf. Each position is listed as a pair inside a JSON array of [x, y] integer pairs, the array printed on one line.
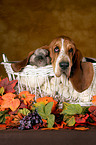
[[8, 85]]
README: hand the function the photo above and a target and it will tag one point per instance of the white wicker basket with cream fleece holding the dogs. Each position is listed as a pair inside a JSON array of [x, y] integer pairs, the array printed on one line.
[[42, 81]]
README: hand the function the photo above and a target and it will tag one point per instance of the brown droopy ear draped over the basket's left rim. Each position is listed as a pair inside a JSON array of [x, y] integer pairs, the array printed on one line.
[[17, 66]]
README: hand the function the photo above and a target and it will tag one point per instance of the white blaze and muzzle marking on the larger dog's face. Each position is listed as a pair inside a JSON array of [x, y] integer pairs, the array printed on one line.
[[62, 57]]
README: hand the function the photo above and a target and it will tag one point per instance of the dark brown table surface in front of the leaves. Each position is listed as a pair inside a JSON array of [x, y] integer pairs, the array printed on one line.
[[47, 137]]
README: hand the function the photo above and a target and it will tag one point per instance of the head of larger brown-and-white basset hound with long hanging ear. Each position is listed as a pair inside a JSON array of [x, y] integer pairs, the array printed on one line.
[[68, 60]]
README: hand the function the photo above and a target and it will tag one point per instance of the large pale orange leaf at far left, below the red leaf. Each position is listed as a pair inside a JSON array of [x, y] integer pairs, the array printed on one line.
[[10, 102]]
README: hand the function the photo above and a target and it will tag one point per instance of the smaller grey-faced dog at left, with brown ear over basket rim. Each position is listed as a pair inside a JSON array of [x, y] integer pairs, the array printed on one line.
[[38, 57]]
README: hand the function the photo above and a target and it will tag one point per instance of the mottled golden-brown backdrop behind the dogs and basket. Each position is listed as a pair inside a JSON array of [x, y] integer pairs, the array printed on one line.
[[28, 24]]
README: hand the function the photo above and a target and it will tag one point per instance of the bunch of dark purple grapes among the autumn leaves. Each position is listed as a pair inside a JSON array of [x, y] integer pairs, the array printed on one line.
[[32, 120]]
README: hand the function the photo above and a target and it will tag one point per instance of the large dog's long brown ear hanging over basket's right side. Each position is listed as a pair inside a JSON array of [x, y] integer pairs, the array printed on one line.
[[83, 73]]
